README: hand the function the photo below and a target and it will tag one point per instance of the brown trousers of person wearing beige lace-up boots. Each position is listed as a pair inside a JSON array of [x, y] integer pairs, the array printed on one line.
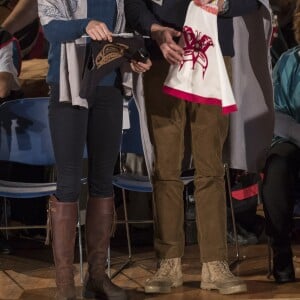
[[167, 118]]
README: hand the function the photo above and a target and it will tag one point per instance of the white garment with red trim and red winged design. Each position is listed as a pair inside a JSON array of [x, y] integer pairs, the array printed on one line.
[[202, 76]]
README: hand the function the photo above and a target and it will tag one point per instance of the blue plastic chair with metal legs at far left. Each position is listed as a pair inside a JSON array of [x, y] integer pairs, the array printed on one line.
[[25, 138]]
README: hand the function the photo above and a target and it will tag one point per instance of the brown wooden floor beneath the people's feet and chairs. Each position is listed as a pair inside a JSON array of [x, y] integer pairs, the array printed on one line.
[[29, 274]]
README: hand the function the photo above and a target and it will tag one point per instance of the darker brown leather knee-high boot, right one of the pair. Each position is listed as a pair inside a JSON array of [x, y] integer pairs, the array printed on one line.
[[99, 223]]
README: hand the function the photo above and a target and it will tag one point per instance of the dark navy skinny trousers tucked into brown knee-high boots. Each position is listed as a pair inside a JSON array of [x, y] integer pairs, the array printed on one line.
[[99, 128]]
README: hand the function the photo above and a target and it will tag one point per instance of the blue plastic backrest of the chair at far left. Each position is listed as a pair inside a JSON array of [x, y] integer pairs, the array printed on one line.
[[24, 132]]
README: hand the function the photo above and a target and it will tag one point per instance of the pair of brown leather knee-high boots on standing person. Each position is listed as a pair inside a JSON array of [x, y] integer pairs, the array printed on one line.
[[63, 217]]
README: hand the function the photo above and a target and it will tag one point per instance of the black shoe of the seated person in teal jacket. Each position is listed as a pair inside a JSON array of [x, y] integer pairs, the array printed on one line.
[[283, 267]]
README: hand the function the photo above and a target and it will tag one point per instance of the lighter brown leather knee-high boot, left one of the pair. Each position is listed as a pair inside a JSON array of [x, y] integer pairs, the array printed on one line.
[[63, 218]]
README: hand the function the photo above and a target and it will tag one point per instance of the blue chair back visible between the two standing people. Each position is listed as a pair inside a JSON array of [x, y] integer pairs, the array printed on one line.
[[131, 138]]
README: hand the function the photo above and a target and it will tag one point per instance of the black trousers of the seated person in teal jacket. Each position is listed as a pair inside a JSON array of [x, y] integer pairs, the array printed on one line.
[[280, 179]]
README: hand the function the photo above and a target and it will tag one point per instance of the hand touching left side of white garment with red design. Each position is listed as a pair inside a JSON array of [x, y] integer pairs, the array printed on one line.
[[164, 37]]
